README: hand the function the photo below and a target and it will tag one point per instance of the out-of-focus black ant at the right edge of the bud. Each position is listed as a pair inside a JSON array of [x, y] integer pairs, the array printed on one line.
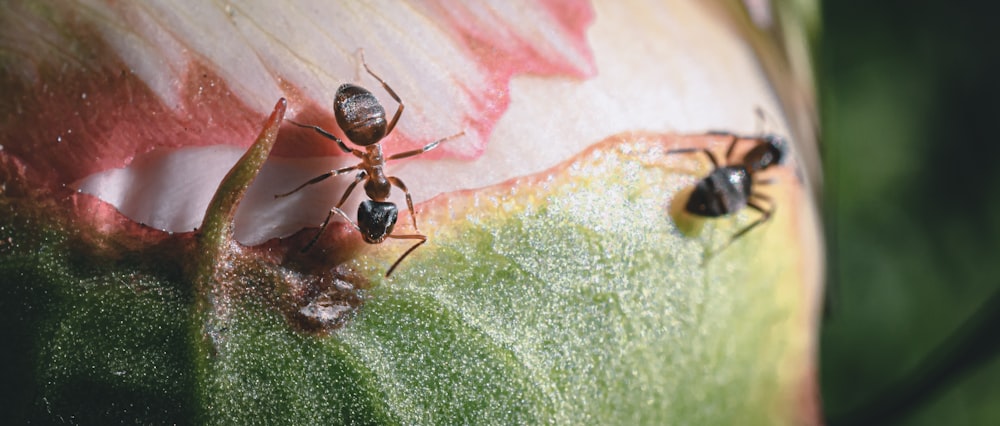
[[730, 187]]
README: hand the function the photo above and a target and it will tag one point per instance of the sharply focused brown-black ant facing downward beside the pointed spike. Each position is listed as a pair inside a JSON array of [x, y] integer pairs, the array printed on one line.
[[362, 118]]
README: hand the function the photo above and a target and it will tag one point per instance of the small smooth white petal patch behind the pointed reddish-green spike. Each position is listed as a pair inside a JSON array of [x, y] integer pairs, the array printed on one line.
[[170, 190]]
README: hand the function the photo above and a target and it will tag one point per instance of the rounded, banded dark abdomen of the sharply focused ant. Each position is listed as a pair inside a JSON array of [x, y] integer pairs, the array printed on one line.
[[359, 115]]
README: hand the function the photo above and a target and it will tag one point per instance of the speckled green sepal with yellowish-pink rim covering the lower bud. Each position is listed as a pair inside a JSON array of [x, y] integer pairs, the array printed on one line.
[[569, 297]]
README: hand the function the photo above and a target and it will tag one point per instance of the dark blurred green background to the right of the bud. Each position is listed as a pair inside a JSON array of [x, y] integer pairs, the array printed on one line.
[[910, 99]]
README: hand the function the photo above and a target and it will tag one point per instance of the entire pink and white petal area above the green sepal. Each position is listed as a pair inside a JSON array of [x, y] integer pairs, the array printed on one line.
[[161, 76]]
